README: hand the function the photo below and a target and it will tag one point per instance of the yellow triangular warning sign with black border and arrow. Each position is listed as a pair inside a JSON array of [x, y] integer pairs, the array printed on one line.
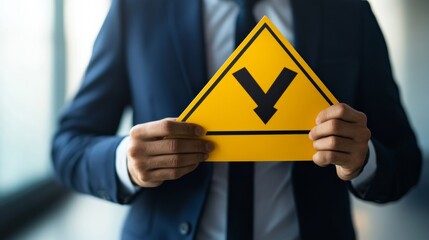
[[263, 101]]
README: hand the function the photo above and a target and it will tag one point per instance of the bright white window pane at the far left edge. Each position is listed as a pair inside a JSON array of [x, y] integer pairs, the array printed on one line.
[[26, 116]]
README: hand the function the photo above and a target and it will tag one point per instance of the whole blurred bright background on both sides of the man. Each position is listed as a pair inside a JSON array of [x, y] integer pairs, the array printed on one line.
[[45, 46]]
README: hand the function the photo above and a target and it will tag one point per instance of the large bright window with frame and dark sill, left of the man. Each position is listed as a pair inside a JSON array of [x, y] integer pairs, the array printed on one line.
[[45, 46]]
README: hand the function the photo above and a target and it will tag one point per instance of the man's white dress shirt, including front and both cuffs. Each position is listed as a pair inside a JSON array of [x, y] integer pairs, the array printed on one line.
[[275, 214]]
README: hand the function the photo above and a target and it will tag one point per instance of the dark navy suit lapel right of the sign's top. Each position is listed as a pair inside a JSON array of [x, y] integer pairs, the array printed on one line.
[[308, 29]]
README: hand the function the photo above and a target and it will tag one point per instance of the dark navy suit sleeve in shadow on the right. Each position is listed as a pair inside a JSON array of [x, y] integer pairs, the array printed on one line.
[[398, 156]]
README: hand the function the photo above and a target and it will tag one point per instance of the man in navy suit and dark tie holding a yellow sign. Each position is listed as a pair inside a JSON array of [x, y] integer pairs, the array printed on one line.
[[155, 56]]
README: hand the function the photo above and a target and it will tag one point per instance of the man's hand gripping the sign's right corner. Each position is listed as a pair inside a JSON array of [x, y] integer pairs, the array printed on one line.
[[341, 137]]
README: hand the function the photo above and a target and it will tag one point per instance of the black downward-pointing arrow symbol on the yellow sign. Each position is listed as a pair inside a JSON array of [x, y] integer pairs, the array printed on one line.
[[265, 101]]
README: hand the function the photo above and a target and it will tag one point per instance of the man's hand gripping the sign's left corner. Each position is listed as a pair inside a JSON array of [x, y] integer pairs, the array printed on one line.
[[165, 150]]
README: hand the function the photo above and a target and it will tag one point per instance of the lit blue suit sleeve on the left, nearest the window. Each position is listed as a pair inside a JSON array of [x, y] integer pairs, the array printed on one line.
[[84, 146]]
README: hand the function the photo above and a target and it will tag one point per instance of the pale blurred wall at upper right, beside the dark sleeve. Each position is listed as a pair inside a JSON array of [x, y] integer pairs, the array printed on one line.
[[405, 26]]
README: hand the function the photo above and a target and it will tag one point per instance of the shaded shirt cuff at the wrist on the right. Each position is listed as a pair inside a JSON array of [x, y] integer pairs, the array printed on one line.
[[362, 182]]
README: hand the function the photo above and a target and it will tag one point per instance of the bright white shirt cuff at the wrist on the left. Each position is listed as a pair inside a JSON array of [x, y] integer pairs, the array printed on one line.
[[126, 187]]
